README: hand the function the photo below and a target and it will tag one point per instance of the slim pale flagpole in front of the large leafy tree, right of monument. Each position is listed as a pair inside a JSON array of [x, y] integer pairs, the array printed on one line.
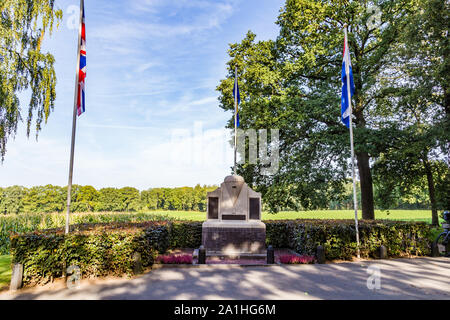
[[349, 96]]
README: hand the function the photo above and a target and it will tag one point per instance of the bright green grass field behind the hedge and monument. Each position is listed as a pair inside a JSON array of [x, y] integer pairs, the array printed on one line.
[[402, 215]]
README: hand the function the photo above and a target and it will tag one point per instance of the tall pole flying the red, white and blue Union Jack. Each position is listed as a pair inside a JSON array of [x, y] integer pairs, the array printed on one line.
[[74, 122]]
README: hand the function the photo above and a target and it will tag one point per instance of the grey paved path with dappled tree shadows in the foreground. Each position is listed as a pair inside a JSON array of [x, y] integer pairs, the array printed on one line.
[[421, 278]]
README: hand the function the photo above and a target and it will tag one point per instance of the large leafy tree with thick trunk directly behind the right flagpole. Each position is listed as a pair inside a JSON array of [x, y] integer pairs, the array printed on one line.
[[294, 84]]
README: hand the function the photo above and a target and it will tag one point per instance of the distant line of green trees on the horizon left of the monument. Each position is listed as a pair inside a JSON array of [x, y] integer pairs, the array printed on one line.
[[46, 199]]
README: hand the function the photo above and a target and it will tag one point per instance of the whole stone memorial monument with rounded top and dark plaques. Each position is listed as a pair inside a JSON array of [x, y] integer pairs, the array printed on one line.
[[233, 226]]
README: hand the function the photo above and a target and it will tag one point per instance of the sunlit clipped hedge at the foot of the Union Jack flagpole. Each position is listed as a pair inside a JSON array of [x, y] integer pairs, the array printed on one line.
[[98, 250]]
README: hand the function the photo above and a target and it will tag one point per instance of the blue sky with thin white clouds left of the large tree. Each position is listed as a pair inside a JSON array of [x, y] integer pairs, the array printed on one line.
[[152, 116]]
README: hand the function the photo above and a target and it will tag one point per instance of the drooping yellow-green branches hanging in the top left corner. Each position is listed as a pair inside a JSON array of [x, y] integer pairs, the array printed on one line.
[[23, 25]]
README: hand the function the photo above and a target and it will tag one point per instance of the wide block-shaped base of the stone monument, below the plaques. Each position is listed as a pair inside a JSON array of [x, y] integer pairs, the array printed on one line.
[[234, 238]]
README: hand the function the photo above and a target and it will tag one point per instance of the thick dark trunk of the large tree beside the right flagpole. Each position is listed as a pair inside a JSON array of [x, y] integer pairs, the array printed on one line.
[[365, 177]]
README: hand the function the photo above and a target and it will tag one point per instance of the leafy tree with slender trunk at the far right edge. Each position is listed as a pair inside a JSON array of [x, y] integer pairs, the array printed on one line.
[[415, 105]]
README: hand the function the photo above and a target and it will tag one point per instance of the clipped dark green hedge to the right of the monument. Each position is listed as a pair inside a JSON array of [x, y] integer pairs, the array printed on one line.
[[338, 237]]
